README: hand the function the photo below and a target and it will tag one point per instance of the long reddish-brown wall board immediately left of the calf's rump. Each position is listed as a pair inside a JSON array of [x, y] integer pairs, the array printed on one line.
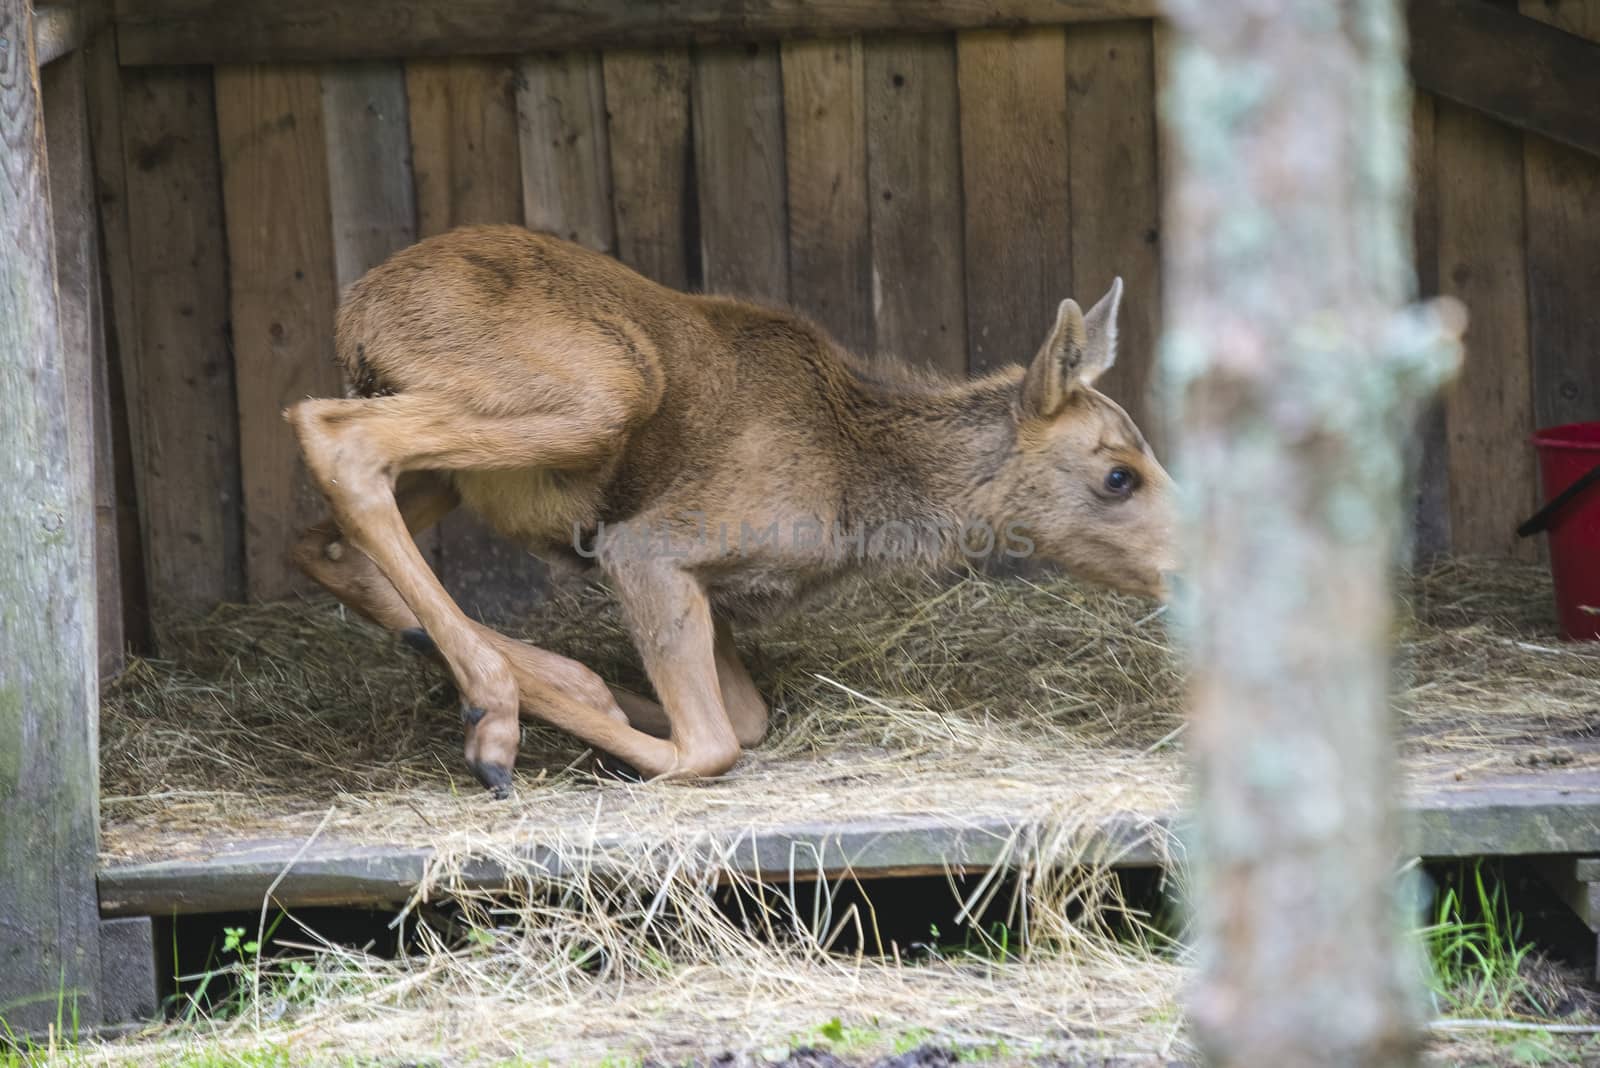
[[284, 293]]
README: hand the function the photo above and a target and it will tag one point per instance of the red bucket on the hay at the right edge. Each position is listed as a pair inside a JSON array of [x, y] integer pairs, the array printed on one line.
[[1570, 472]]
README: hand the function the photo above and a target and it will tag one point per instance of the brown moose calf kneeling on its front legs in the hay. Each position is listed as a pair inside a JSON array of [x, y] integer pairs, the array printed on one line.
[[713, 458]]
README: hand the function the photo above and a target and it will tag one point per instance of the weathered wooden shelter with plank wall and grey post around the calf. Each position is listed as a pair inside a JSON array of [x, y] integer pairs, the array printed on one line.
[[188, 185]]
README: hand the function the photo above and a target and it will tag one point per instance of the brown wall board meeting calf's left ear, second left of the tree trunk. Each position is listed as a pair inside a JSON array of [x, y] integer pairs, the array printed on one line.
[[1015, 188]]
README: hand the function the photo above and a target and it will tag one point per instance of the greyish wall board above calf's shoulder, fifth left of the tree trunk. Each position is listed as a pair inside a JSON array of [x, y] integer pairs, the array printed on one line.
[[740, 172]]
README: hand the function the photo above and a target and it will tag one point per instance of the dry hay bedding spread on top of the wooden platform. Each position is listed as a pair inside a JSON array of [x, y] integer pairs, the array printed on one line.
[[970, 696]]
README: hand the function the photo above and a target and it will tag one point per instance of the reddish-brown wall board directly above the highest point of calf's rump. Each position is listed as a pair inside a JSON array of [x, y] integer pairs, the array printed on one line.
[[465, 149]]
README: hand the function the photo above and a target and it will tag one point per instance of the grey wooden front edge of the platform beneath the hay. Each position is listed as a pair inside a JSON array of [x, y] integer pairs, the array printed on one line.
[[1550, 813]]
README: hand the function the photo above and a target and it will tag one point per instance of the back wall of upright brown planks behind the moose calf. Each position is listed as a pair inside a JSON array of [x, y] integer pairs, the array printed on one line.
[[932, 196]]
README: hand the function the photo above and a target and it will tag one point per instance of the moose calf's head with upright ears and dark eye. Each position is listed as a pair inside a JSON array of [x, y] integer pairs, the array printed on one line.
[[1081, 479]]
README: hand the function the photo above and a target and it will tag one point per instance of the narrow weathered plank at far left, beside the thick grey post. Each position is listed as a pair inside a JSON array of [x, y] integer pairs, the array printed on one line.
[[82, 335]]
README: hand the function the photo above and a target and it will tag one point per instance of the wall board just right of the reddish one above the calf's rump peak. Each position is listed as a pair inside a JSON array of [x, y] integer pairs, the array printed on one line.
[[566, 157]]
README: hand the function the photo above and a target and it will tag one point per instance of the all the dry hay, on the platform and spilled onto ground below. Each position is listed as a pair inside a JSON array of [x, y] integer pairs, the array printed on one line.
[[1031, 699]]
